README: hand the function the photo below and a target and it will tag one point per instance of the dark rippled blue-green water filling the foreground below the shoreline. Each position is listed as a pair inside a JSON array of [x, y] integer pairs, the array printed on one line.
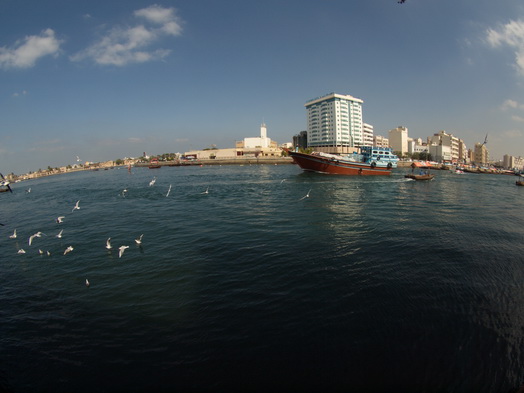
[[376, 284]]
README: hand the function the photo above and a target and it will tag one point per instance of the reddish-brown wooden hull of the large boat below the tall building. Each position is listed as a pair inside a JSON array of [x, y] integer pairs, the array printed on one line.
[[309, 162]]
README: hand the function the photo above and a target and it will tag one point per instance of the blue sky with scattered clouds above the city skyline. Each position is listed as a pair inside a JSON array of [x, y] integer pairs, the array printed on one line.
[[108, 79]]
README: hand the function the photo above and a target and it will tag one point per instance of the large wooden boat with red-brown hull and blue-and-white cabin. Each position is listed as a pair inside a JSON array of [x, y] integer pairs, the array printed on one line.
[[370, 161]]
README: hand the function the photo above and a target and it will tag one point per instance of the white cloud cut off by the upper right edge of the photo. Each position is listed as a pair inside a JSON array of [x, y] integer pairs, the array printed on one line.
[[512, 35]]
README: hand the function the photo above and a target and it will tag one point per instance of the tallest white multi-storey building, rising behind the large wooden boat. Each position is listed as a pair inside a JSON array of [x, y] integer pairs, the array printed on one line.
[[334, 123]]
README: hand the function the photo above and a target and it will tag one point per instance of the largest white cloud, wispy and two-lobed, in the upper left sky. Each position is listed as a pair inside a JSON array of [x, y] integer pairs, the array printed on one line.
[[122, 46]]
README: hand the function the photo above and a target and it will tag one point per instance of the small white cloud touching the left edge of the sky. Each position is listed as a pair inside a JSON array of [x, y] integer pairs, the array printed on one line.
[[25, 53]]
